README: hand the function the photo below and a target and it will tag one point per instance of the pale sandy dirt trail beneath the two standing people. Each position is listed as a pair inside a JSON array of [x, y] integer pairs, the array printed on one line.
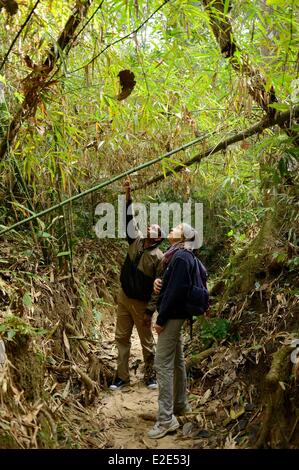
[[123, 409]]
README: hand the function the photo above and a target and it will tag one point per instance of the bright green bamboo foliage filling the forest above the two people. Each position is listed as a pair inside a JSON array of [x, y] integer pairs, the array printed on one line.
[[80, 133]]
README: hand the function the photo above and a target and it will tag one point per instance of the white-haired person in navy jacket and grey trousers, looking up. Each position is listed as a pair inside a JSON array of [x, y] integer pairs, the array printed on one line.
[[179, 276]]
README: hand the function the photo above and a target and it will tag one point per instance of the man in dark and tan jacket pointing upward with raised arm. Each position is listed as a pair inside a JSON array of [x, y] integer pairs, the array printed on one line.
[[134, 304]]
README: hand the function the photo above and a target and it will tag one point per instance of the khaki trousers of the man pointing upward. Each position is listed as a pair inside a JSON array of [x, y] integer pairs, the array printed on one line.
[[130, 312]]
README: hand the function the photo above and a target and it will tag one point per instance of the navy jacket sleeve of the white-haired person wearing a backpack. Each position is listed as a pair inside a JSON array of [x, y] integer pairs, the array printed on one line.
[[176, 290]]
